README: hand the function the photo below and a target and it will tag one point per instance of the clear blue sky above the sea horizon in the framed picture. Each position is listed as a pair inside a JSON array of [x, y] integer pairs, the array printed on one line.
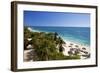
[[60, 19]]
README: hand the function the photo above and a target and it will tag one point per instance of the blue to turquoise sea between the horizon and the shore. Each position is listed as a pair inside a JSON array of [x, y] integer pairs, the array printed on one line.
[[80, 35]]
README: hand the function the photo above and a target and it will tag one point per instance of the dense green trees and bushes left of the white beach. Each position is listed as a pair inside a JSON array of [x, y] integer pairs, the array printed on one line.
[[45, 46]]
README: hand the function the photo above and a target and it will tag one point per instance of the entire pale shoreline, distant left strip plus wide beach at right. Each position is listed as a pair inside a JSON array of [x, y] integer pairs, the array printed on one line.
[[69, 45]]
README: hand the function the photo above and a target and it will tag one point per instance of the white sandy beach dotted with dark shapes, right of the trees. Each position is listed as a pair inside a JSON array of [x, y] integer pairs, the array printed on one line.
[[82, 48]]
